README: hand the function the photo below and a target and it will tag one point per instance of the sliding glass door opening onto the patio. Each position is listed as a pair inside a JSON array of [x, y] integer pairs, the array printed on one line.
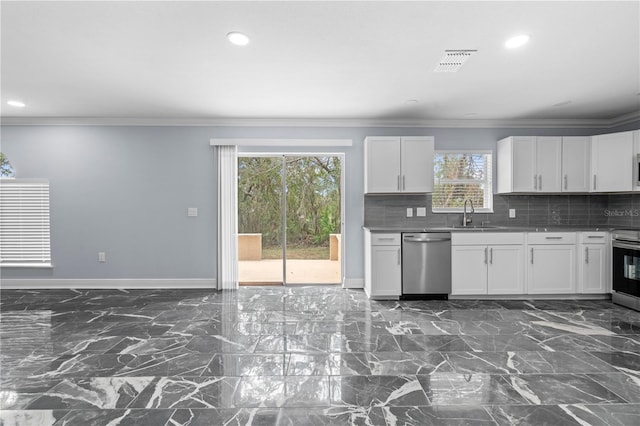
[[302, 196]]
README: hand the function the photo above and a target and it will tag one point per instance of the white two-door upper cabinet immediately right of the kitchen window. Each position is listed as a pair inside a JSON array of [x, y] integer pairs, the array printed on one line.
[[529, 164]]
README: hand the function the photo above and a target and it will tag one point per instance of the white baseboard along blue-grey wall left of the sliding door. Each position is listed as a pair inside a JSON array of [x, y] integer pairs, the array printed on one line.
[[125, 283]]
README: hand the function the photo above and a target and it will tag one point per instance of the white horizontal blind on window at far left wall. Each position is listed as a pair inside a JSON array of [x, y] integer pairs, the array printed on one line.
[[24, 223]]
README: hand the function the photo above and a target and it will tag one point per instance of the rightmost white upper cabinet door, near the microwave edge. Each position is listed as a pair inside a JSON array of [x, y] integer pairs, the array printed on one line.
[[612, 162]]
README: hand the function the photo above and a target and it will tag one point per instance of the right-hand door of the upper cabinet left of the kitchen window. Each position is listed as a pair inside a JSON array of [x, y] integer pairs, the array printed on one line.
[[417, 164]]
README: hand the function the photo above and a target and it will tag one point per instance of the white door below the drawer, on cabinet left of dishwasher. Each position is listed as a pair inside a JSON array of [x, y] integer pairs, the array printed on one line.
[[386, 271]]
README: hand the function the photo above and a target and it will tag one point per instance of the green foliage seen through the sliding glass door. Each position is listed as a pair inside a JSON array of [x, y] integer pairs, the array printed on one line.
[[312, 198]]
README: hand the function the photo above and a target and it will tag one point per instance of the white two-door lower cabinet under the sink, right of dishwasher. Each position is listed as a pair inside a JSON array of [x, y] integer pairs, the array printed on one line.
[[495, 267]]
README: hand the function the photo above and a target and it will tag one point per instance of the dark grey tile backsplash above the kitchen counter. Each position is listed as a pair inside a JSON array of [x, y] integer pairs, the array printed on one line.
[[618, 210]]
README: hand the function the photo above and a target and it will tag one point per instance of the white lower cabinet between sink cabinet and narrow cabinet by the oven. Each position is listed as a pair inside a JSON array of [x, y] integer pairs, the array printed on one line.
[[552, 263]]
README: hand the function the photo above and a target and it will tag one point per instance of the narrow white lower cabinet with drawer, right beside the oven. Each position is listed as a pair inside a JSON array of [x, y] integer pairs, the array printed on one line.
[[593, 266]]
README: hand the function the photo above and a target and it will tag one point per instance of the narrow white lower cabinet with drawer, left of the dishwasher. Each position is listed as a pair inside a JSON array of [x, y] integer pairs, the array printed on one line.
[[383, 265]]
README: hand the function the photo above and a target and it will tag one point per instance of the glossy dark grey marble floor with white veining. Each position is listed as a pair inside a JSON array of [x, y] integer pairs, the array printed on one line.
[[312, 356]]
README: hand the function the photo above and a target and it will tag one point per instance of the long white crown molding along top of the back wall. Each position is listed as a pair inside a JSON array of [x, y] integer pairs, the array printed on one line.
[[319, 122]]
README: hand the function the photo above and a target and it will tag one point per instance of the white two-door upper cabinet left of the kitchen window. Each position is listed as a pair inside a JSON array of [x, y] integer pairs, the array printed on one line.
[[398, 164]]
